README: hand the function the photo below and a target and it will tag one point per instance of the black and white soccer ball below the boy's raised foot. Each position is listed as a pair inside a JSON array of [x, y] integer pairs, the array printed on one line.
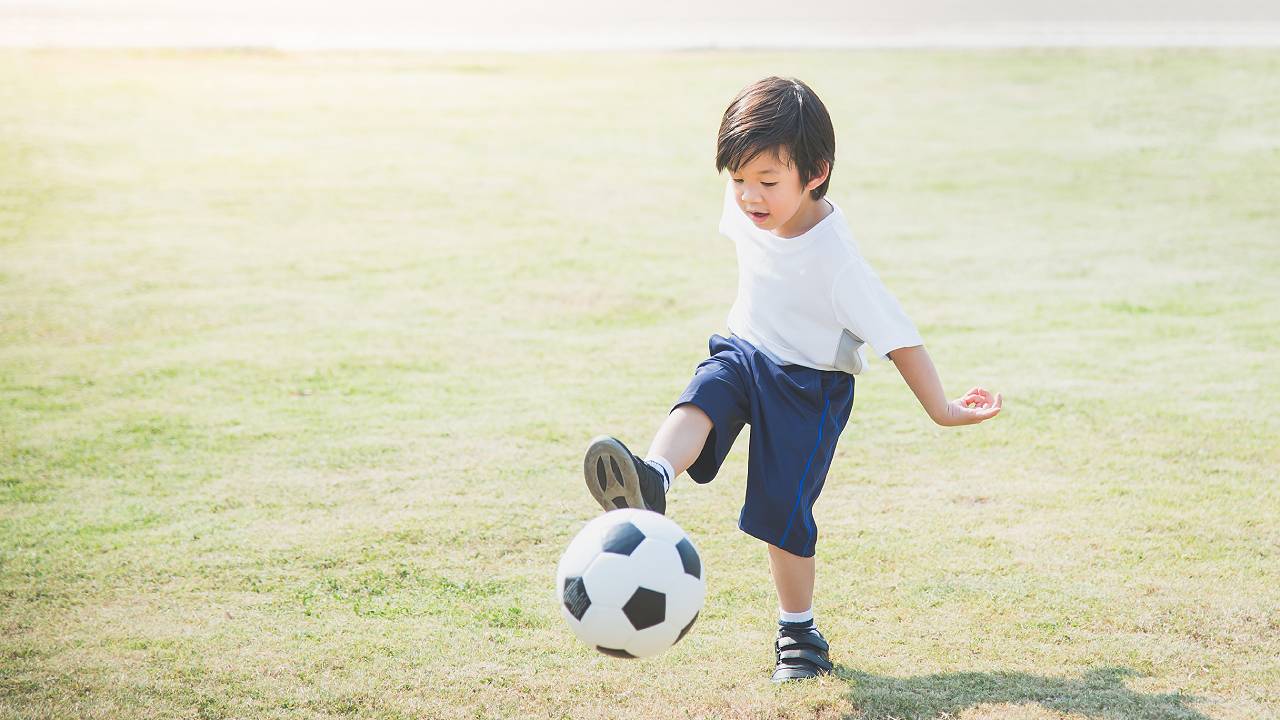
[[632, 584]]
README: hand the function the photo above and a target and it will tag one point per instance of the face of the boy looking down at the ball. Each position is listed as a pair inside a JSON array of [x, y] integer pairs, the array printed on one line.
[[769, 192]]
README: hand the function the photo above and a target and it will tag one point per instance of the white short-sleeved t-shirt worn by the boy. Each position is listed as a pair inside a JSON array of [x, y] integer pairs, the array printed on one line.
[[811, 300]]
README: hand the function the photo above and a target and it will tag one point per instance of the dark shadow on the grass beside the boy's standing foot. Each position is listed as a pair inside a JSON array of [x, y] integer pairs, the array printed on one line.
[[1099, 694]]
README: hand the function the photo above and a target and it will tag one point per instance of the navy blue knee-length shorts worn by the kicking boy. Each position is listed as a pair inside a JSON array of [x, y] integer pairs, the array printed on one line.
[[797, 416]]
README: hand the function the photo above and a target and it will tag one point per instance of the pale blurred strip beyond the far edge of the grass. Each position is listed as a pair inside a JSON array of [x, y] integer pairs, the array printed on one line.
[[568, 25]]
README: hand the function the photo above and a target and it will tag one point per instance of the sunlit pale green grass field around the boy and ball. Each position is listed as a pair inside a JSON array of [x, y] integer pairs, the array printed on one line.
[[299, 354]]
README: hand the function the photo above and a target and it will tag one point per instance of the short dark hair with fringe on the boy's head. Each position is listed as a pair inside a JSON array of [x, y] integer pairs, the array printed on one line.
[[779, 113]]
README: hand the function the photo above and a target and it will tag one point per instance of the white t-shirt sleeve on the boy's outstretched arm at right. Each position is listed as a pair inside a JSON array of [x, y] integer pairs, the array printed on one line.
[[868, 311]]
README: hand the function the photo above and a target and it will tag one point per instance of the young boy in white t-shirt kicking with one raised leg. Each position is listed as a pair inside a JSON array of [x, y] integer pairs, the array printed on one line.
[[807, 302]]
